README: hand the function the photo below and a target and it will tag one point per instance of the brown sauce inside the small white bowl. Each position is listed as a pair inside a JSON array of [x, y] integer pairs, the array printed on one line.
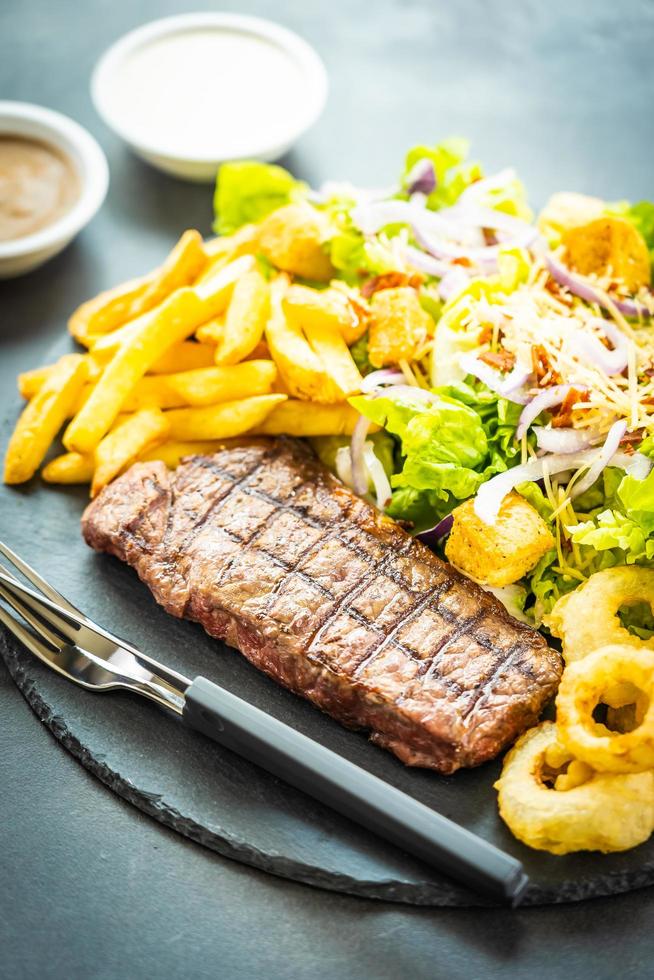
[[38, 184]]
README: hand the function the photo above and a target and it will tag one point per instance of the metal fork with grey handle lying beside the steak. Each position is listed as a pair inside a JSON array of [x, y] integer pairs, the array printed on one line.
[[66, 640]]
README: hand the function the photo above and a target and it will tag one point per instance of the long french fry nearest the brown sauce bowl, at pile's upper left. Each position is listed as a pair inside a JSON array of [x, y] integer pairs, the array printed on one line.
[[116, 306]]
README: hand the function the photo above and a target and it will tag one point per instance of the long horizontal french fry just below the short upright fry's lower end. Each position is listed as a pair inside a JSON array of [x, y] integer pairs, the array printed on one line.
[[206, 386]]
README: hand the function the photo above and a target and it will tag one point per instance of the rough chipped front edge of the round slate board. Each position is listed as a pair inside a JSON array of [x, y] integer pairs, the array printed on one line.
[[284, 867]]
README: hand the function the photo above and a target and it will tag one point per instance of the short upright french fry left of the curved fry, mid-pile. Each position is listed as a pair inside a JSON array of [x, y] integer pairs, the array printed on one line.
[[245, 319]]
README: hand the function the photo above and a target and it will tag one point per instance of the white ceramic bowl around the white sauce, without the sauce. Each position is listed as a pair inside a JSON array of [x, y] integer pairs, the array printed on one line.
[[171, 156]]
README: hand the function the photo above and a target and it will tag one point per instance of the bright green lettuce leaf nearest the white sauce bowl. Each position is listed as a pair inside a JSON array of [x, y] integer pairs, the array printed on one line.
[[246, 191]]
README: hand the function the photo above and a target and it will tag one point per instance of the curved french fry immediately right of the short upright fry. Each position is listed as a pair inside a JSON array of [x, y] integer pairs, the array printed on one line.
[[300, 368]]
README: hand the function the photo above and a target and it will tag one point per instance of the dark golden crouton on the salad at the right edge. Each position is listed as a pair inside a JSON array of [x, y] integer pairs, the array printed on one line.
[[609, 246]]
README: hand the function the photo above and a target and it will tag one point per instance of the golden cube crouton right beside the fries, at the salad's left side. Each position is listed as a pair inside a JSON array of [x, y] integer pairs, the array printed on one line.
[[399, 326]]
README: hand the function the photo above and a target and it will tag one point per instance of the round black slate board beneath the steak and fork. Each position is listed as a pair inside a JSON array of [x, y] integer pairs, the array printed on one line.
[[214, 797]]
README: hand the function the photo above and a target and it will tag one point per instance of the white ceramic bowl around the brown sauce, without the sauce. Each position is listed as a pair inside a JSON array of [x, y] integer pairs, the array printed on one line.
[[32, 121]]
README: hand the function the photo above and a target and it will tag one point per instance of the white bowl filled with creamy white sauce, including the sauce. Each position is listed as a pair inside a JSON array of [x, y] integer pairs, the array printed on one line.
[[189, 92]]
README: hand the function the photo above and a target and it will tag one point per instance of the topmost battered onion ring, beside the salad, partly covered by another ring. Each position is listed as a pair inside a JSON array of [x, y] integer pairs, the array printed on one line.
[[587, 618]]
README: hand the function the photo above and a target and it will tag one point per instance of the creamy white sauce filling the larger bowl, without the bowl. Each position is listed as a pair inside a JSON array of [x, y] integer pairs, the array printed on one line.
[[209, 92]]
